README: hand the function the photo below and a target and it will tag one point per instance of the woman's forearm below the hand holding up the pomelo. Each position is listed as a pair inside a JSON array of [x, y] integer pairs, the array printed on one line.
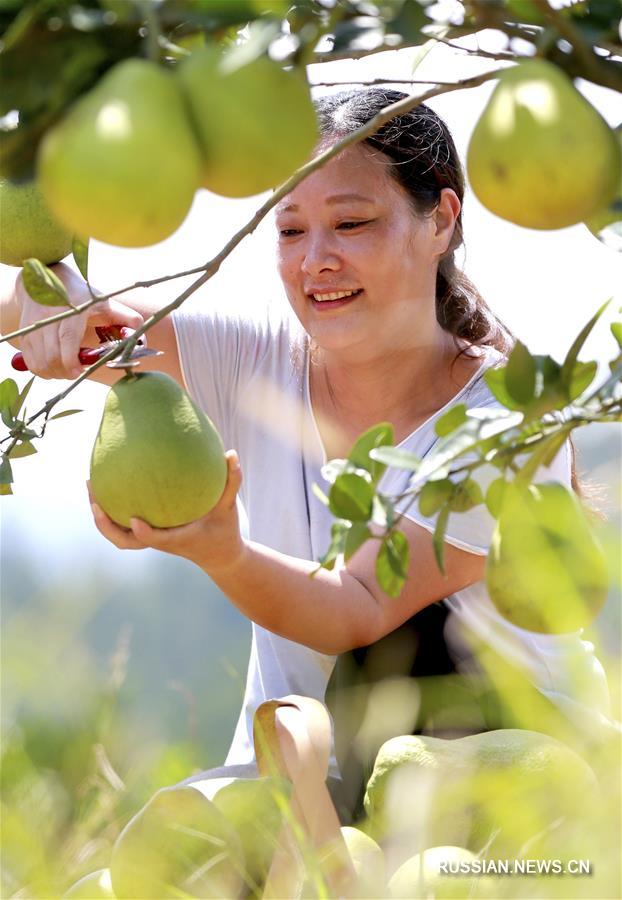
[[277, 592]]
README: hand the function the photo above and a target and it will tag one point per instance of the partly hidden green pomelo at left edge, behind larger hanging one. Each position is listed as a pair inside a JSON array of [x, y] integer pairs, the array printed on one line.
[[27, 228]]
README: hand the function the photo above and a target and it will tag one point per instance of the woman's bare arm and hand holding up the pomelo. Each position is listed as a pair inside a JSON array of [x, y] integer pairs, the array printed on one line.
[[333, 612]]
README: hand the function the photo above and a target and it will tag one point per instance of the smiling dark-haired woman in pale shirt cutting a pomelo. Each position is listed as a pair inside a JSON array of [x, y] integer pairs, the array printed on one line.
[[384, 328]]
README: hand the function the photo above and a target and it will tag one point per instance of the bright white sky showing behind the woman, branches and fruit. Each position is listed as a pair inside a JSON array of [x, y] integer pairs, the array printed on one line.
[[545, 285]]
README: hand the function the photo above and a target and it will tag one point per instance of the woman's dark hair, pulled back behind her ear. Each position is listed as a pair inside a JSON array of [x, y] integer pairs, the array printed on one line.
[[424, 160]]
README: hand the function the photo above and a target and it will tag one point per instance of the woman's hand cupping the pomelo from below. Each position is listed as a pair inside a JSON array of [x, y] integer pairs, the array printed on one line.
[[212, 542]]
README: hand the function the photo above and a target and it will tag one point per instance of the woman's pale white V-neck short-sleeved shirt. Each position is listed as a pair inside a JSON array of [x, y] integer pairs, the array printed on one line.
[[251, 376]]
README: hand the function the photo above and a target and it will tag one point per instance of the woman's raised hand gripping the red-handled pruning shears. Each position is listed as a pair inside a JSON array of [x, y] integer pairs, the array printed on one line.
[[52, 351]]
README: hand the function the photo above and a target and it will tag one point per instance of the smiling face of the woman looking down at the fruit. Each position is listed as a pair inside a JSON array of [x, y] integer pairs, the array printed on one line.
[[356, 263]]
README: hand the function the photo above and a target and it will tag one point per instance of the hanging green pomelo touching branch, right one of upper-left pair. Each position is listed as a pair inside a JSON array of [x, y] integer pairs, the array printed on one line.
[[255, 122]]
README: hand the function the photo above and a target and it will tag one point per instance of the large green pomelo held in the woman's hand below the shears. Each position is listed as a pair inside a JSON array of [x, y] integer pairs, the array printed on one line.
[[156, 456]]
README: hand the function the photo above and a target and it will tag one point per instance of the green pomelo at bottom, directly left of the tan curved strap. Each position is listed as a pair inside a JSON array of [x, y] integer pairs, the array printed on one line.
[[254, 806]]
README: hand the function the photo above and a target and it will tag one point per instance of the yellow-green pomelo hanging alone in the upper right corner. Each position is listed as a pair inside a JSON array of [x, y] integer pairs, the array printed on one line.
[[541, 155]]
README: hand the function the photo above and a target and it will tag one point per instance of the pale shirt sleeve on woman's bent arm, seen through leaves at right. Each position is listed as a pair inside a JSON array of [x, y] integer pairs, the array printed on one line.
[[472, 530]]
